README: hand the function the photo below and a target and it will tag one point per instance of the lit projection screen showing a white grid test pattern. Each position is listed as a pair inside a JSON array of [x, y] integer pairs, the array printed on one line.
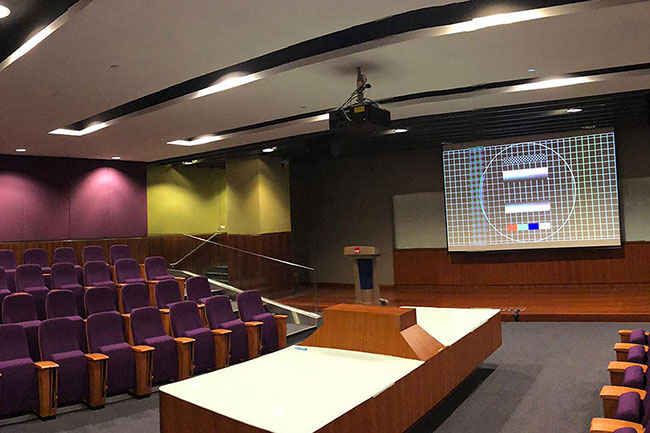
[[581, 187]]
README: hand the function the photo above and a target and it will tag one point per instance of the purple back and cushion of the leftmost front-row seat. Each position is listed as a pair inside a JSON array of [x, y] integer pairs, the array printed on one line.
[[19, 385]]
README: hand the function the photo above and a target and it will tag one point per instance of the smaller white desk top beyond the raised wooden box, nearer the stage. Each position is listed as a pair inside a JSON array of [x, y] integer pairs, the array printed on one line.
[[448, 325]]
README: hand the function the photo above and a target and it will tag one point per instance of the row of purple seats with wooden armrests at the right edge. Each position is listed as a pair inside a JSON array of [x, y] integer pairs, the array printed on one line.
[[626, 404]]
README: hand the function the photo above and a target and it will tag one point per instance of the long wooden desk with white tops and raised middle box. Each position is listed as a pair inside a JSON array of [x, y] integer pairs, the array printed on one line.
[[368, 368]]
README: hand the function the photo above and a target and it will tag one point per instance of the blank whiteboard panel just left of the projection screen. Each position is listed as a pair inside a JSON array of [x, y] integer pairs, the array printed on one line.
[[419, 220]]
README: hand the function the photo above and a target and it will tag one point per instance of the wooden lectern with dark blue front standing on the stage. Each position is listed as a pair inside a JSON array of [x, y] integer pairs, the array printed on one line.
[[366, 289]]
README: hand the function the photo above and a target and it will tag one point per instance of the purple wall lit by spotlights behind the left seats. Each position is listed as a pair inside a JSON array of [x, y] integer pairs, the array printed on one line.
[[63, 198]]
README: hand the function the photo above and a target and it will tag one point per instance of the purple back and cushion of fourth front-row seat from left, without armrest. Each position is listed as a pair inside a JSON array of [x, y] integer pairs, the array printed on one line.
[[147, 329]]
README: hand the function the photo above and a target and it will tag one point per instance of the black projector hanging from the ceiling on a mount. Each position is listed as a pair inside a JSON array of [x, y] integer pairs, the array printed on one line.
[[362, 117]]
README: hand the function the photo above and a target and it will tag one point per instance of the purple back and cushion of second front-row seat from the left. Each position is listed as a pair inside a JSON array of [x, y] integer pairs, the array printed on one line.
[[59, 343]]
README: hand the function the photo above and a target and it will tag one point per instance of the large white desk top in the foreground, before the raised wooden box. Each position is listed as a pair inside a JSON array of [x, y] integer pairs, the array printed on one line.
[[294, 390]]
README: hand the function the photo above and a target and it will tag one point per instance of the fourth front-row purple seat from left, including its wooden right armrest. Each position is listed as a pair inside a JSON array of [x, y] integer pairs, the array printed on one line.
[[170, 354]]
